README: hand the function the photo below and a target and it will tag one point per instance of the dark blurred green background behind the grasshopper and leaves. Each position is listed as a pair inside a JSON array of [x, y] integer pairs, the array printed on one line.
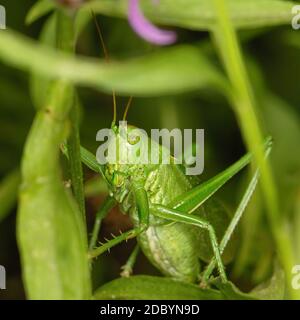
[[273, 60]]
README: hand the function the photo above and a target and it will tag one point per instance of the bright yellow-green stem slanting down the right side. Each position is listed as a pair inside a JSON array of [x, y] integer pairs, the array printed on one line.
[[243, 102]]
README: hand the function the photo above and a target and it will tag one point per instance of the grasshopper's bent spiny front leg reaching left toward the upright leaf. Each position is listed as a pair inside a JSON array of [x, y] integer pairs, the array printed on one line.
[[142, 204]]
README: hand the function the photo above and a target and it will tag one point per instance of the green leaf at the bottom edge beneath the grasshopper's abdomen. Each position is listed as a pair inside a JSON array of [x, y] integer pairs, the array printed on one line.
[[153, 288]]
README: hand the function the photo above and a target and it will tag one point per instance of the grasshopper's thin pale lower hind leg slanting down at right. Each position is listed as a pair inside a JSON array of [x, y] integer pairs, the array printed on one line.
[[235, 220]]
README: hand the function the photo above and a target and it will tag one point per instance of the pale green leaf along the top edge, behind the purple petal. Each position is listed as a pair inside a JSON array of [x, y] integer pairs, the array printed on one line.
[[200, 14]]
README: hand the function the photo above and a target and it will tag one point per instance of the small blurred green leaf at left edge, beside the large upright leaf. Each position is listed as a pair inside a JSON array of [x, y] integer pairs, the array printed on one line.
[[9, 189]]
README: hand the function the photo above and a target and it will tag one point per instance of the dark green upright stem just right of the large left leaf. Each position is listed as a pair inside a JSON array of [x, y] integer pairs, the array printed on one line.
[[66, 42]]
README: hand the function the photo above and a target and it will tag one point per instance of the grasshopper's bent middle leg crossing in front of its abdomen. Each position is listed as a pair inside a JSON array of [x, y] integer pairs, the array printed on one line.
[[177, 216]]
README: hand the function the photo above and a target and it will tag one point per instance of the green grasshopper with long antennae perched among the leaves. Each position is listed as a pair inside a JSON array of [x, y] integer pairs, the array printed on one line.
[[173, 215]]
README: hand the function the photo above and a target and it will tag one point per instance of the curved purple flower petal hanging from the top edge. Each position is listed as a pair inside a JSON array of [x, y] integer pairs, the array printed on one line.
[[145, 29]]
